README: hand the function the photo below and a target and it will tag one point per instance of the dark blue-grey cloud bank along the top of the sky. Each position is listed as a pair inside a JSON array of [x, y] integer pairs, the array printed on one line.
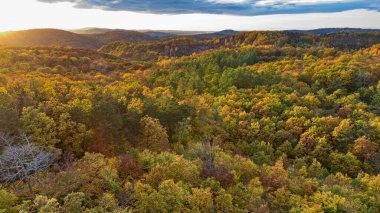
[[231, 7]]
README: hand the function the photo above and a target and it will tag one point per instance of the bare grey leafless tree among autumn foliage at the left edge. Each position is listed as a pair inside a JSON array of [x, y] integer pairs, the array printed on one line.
[[21, 159]]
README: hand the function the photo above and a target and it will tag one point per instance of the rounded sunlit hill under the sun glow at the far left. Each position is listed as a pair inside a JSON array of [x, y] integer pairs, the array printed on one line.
[[48, 37]]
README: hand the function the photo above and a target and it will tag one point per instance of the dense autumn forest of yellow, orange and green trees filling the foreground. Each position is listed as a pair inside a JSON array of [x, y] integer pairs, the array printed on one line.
[[250, 122]]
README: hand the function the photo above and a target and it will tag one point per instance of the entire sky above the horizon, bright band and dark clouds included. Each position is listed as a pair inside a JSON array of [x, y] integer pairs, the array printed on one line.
[[199, 15]]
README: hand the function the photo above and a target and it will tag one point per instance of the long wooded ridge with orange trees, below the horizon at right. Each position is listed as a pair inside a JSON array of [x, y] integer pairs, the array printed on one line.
[[187, 45]]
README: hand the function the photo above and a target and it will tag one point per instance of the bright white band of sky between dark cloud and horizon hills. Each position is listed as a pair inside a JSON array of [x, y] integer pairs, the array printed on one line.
[[27, 14]]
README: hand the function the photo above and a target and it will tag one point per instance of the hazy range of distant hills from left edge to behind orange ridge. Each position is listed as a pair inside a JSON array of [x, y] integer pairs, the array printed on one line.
[[94, 38]]
